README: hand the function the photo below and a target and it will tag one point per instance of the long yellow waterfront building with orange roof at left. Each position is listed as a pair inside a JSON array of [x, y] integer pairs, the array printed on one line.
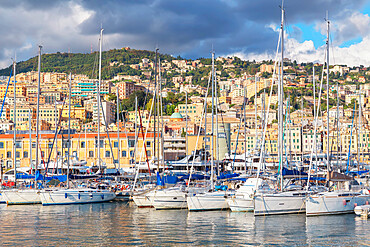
[[83, 145]]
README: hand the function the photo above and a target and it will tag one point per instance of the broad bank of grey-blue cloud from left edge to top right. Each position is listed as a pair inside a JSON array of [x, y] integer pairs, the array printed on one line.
[[186, 27]]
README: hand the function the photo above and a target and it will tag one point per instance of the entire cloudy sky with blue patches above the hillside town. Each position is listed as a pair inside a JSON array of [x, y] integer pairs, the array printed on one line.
[[190, 28]]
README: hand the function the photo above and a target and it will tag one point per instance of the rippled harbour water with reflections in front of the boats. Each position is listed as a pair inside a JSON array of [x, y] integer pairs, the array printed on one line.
[[112, 224]]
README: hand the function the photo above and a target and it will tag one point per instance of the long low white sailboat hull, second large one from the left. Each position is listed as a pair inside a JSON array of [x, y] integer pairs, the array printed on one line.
[[64, 197]]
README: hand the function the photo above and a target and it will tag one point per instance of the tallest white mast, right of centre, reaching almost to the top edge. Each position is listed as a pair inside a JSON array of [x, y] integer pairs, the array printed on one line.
[[280, 92]]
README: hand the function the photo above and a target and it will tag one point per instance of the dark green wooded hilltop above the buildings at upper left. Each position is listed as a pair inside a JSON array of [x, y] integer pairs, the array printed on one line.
[[80, 63]]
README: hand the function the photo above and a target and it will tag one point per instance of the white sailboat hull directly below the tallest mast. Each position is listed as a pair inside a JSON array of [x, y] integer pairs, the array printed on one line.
[[271, 204]]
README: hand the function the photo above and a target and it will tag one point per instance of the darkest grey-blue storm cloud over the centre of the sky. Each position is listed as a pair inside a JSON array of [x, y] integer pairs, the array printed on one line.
[[190, 27]]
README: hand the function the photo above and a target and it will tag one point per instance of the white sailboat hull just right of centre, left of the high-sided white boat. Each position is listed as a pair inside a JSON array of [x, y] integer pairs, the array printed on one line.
[[207, 201]]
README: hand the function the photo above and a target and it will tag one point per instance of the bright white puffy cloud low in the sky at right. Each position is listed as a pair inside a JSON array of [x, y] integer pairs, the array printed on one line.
[[354, 25]]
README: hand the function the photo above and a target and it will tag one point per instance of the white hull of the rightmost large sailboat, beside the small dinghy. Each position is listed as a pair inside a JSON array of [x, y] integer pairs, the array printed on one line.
[[334, 204]]
